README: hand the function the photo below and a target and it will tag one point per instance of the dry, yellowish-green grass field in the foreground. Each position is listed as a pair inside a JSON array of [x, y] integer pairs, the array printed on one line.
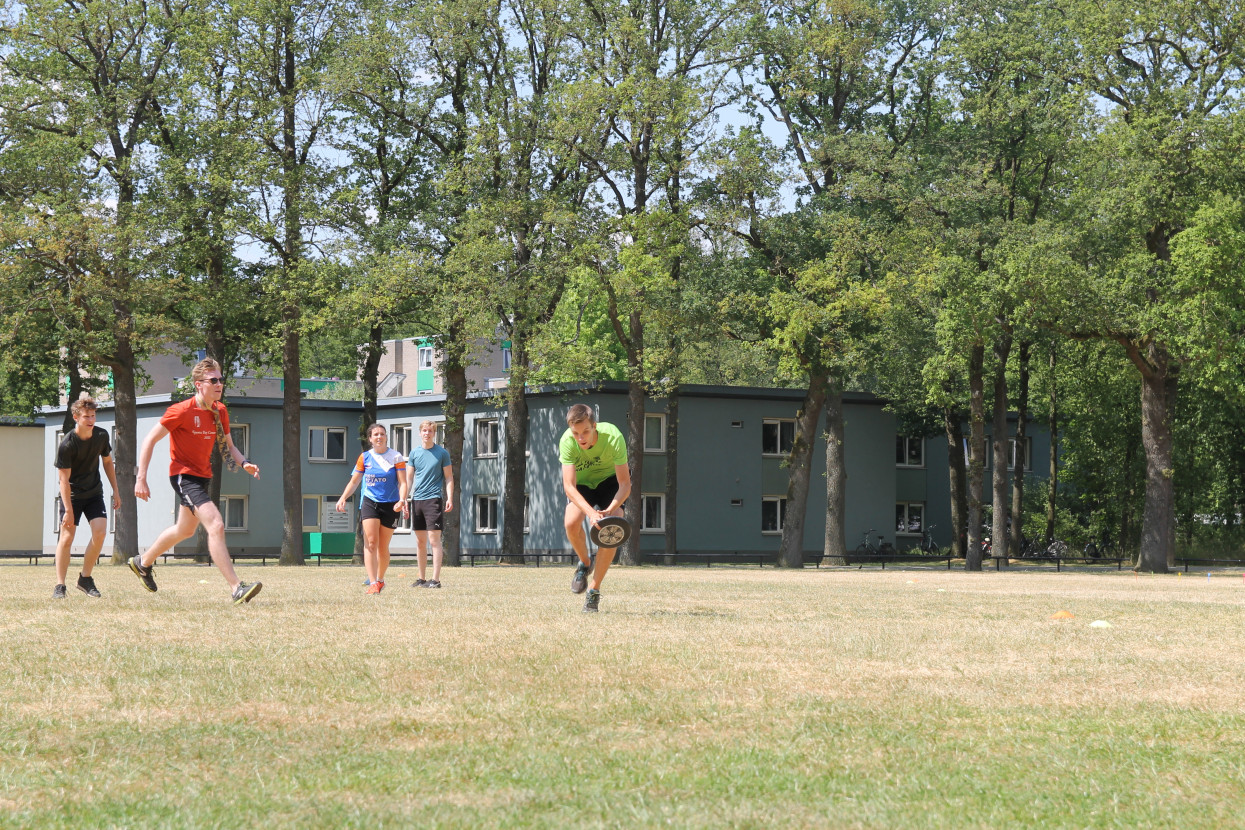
[[698, 699]]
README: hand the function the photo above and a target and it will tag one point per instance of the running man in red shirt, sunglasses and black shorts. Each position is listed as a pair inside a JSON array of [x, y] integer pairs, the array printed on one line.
[[194, 427]]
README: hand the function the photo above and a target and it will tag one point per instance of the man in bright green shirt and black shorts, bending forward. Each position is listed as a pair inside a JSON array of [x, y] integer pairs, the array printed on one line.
[[597, 481]]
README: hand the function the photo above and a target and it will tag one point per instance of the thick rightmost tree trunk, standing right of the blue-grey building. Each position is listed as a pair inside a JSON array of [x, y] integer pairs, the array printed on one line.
[[1160, 376]]
